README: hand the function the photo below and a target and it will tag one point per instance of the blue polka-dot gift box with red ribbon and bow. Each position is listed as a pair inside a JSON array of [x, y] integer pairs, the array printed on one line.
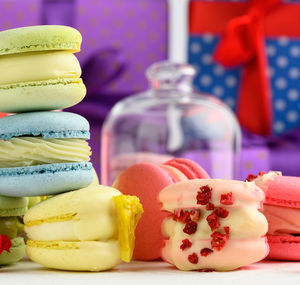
[[247, 53]]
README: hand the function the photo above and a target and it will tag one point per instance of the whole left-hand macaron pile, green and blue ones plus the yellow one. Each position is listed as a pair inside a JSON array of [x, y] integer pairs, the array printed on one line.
[[43, 152]]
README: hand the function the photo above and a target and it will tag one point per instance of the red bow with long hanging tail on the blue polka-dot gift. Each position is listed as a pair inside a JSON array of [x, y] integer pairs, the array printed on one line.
[[243, 44]]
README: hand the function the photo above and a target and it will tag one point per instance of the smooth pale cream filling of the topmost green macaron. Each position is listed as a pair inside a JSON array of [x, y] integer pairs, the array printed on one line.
[[37, 66]]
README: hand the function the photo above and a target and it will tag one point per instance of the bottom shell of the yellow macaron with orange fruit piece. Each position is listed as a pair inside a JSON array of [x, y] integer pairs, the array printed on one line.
[[76, 256]]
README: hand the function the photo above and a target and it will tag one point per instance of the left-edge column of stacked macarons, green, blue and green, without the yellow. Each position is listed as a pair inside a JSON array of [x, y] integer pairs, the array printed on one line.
[[42, 152]]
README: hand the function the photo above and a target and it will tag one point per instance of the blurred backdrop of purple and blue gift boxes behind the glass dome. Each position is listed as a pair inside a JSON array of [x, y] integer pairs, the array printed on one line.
[[246, 53]]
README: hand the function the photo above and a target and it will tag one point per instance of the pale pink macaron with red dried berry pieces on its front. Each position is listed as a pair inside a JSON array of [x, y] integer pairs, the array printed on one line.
[[213, 224]]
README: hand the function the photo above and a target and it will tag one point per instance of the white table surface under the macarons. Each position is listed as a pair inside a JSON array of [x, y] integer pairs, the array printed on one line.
[[27, 272]]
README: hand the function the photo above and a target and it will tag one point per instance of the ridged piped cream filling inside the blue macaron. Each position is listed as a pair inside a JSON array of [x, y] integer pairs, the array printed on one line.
[[27, 151]]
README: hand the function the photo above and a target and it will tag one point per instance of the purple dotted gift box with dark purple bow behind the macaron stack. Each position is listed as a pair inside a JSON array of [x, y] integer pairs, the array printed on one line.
[[121, 38]]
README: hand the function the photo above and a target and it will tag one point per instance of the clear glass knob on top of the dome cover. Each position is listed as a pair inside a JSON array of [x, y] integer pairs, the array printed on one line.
[[166, 75]]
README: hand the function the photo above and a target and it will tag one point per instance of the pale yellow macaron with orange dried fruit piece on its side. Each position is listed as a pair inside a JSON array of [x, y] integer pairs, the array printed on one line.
[[91, 229]]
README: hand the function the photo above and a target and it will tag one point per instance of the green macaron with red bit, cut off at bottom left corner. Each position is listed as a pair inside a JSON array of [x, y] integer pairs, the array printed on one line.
[[12, 246]]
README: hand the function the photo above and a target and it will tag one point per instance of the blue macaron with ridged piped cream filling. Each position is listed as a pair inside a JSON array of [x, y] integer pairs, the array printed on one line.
[[44, 153]]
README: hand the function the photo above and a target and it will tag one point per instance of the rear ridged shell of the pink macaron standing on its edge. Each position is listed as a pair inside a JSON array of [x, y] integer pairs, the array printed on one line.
[[189, 168]]
